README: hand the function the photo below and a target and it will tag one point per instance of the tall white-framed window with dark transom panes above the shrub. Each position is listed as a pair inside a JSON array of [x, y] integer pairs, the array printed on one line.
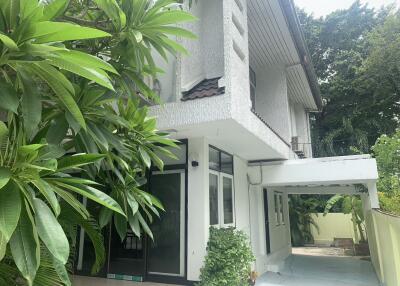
[[221, 188]]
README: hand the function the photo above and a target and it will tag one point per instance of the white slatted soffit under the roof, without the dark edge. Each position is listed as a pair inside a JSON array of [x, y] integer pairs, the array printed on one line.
[[271, 44]]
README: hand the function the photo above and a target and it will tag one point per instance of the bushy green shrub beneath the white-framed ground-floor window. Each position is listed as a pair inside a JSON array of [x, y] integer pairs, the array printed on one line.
[[228, 259]]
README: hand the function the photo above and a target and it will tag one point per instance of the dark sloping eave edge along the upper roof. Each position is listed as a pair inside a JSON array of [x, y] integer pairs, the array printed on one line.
[[293, 22]]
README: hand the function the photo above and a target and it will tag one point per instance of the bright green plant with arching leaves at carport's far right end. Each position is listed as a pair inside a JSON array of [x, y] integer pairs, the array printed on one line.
[[350, 205]]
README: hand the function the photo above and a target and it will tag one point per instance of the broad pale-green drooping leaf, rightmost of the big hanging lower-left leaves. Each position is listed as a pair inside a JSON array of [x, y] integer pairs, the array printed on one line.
[[51, 232]]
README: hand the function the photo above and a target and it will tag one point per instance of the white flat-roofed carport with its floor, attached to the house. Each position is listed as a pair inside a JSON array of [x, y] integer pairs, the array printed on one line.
[[352, 175]]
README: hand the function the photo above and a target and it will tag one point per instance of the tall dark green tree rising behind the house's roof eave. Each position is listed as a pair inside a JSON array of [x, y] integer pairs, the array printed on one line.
[[340, 45]]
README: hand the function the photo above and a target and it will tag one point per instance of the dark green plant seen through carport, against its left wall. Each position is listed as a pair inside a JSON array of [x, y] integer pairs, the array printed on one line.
[[301, 210]]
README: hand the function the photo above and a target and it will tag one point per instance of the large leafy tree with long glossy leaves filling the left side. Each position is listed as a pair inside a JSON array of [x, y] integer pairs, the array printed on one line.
[[71, 77]]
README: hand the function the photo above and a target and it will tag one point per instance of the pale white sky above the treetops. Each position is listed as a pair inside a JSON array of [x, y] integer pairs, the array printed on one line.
[[324, 7]]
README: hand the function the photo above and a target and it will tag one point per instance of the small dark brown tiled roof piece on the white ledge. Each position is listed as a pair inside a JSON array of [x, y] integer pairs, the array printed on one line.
[[206, 88]]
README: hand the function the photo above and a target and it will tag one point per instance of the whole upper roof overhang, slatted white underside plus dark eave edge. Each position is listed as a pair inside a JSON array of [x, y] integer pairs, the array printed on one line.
[[276, 38]]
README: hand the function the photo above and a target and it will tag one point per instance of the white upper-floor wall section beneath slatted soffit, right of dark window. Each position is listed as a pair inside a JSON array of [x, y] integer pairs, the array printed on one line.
[[272, 99]]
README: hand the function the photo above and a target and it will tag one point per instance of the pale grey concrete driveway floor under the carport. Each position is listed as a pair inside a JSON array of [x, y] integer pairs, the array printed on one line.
[[303, 270]]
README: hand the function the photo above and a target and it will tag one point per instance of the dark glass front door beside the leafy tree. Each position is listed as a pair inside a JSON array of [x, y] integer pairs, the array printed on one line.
[[166, 253]]
